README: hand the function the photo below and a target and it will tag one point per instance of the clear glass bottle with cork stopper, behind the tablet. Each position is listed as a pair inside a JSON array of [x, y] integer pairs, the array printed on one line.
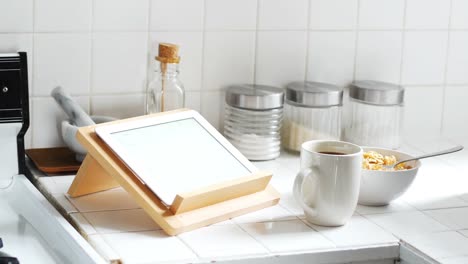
[[166, 92]]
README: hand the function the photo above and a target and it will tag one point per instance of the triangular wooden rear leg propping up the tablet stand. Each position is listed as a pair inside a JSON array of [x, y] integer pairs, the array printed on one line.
[[91, 178]]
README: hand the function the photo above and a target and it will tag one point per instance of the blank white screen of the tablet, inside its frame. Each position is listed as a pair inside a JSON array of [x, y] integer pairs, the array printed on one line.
[[176, 157]]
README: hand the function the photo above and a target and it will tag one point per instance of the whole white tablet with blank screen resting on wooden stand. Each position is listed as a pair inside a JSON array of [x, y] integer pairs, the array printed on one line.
[[175, 153]]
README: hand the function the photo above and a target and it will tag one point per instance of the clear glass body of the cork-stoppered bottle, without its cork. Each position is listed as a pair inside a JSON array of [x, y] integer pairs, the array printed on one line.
[[166, 92]]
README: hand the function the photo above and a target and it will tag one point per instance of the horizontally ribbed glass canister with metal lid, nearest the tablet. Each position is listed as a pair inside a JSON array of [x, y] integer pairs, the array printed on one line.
[[253, 117]]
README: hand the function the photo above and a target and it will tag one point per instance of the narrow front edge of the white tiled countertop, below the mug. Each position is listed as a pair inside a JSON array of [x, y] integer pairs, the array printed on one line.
[[319, 256]]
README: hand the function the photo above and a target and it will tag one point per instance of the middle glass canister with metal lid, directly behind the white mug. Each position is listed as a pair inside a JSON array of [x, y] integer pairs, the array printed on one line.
[[312, 110]]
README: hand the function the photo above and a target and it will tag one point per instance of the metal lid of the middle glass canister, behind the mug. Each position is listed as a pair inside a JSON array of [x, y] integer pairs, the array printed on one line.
[[314, 94]]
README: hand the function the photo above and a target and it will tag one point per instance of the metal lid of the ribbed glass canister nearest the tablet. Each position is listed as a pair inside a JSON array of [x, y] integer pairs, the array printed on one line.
[[255, 97]]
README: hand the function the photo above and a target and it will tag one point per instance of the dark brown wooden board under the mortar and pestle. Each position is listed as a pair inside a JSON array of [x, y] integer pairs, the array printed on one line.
[[54, 160]]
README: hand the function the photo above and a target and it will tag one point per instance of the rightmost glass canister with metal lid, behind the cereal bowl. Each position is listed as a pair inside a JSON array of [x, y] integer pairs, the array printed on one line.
[[375, 114]]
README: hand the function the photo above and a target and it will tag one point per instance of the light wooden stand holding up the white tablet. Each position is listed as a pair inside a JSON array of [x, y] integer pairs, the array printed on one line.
[[103, 170]]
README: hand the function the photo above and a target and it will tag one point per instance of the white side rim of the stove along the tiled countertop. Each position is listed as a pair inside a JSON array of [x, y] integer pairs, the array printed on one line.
[[61, 237]]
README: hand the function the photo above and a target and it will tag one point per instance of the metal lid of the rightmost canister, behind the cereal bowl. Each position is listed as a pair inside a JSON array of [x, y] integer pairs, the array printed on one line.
[[375, 92]]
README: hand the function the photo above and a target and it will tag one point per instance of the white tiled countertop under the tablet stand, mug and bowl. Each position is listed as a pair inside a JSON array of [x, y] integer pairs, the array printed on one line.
[[432, 217]]
